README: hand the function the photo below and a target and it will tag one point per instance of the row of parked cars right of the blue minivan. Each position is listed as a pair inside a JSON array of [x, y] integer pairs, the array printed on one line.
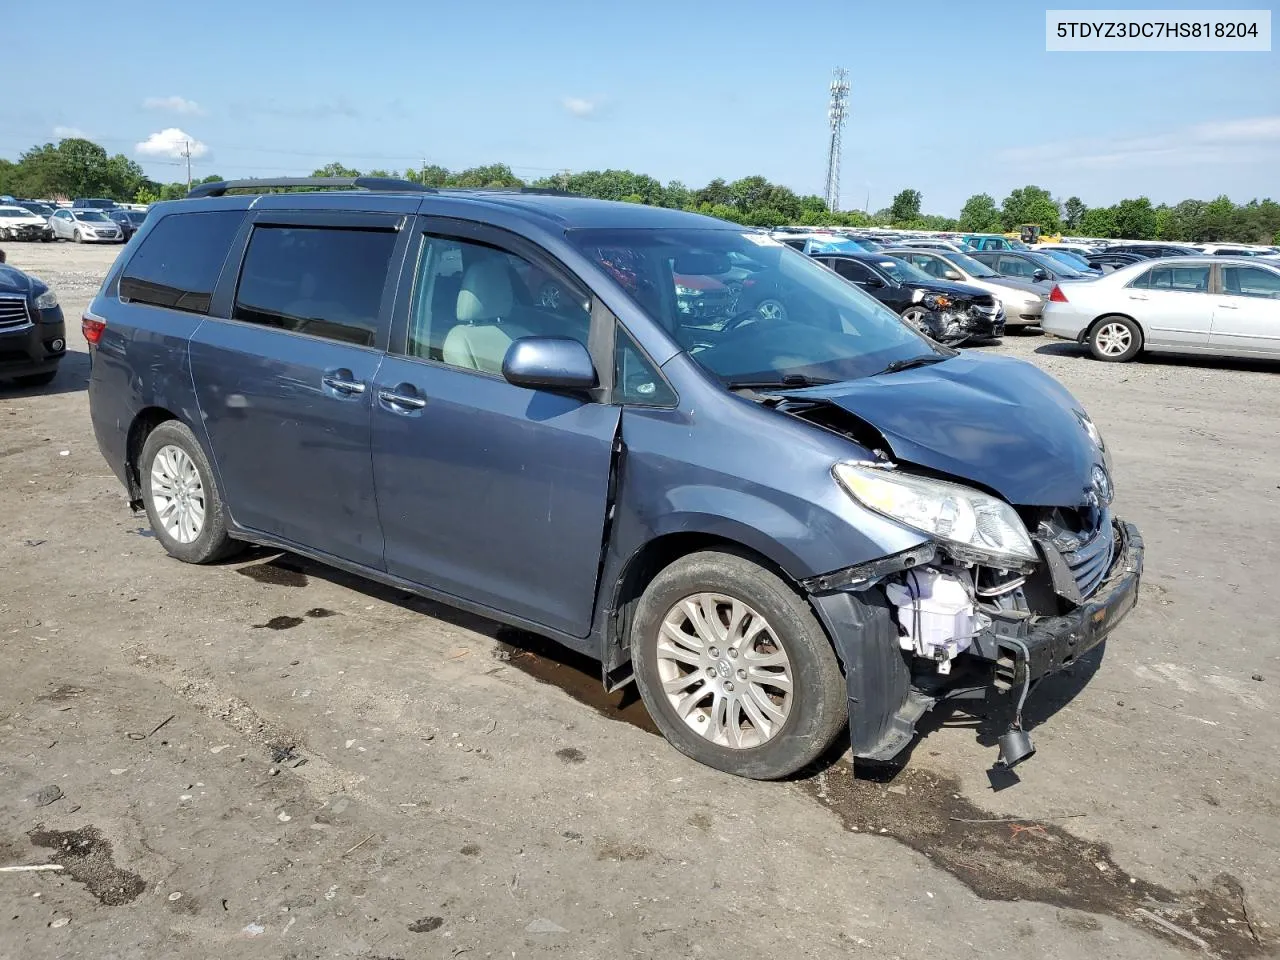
[[1118, 300]]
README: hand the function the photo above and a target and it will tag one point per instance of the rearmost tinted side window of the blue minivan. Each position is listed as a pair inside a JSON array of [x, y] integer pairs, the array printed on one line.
[[180, 260]]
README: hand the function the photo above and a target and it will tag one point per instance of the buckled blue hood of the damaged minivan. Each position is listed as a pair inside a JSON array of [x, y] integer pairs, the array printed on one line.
[[996, 422]]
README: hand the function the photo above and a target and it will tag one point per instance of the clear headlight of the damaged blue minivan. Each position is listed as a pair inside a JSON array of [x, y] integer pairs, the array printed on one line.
[[986, 527]]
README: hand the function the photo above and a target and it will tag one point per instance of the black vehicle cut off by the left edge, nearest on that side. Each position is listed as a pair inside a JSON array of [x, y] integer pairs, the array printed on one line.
[[33, 333]]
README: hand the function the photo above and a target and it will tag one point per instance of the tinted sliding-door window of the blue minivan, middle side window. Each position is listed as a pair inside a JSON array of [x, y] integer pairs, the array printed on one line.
[[319, 281]]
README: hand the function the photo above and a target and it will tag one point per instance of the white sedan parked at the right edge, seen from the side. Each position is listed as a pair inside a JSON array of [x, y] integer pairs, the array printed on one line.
[[1180, 305]]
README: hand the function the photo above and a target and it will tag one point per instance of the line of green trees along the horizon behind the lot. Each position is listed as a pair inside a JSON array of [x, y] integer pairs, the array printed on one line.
[[76, 167]]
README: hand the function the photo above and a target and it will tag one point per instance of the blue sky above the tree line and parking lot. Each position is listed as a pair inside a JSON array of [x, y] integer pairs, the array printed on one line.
[[948, 98]]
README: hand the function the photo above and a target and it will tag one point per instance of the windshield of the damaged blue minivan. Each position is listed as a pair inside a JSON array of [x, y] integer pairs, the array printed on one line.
[[792, 319]]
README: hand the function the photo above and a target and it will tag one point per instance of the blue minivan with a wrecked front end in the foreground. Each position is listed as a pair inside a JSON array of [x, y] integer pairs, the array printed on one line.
[[780, 525]]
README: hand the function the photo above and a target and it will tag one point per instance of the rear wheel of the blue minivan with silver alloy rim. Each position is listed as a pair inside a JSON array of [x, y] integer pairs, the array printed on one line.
[[184, 504]]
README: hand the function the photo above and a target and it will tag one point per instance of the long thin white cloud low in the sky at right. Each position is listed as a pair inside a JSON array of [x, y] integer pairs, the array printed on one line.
[[1247, 140]]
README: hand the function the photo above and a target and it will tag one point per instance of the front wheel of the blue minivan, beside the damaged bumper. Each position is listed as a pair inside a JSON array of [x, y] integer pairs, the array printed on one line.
[[735, 669]]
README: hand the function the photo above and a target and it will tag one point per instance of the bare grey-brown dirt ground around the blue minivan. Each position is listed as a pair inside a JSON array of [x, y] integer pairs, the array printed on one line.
[[271, 758]]
